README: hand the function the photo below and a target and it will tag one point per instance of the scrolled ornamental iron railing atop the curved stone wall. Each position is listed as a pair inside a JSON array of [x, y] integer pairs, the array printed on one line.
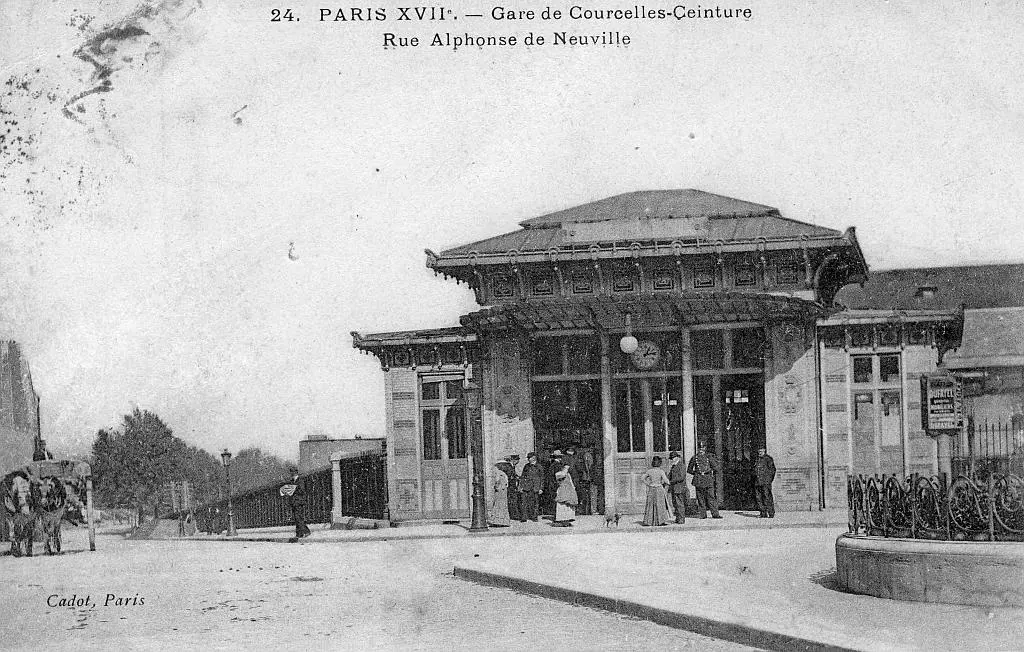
[[987, 508]]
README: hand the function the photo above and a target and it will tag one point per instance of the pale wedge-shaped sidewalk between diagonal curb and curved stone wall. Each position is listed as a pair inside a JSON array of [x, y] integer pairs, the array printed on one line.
[[774, 590]]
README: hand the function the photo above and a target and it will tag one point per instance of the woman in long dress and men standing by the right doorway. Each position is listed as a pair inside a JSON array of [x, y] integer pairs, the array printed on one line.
[[704, 467]]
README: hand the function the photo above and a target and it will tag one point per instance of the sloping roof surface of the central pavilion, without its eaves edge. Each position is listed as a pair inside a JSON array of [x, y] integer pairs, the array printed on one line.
[[649, 216]]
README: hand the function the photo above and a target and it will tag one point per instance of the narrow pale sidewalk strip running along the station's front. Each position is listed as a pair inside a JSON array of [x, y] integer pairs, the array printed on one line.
[[584, 526]]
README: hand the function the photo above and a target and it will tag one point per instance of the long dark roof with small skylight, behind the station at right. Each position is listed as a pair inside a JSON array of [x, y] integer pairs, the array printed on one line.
[[938, 289]]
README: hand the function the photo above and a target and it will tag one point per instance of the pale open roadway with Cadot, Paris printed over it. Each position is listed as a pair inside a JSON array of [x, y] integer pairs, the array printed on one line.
[[381, 595]]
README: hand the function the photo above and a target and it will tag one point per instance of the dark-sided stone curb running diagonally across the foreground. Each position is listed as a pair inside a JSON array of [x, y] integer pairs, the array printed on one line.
[[722, 630]]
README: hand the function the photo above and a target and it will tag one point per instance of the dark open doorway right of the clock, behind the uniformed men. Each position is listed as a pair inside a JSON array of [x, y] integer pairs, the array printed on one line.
[[730, 415]]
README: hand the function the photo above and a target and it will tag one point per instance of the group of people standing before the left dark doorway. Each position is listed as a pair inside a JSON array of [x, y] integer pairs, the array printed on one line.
[[562, 490]]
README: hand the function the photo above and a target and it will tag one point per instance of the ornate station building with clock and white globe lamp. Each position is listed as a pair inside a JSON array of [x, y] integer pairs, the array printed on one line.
[[658, 321]]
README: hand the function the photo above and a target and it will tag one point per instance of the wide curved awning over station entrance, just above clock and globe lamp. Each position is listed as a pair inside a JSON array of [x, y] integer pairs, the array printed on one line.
[[649, 312]]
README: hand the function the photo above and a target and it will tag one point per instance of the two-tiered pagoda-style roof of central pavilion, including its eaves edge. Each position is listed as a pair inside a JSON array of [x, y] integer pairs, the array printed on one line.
[[647, 224]]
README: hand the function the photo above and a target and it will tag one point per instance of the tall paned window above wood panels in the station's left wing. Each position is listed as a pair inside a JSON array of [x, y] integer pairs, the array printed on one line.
[[443, 410]]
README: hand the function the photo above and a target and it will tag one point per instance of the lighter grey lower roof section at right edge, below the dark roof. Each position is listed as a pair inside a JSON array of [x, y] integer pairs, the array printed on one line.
[[992, 338]]
